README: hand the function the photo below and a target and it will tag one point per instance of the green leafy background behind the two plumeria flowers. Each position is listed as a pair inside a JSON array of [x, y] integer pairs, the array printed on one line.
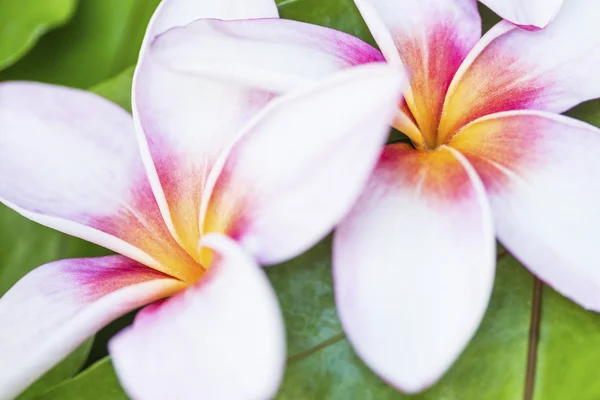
[[533, 343]]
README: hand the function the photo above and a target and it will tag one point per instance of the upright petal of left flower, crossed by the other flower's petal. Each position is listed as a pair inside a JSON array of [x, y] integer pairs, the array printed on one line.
[[183, 122]]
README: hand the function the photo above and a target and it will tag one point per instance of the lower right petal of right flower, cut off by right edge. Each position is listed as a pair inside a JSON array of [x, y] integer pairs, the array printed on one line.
[[541, 172]]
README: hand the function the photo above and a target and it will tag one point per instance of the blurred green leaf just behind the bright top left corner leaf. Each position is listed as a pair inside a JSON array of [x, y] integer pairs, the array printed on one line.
[[102, 40]]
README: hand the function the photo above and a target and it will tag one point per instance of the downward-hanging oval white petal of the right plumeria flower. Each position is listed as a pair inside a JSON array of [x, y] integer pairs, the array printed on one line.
[[414, 265]]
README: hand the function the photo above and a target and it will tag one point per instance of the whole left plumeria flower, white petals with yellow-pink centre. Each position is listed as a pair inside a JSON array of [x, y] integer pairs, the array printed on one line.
[[221, 177]]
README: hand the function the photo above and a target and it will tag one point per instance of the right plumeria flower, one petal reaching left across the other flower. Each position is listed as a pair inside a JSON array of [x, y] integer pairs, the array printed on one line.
[[490, 156]]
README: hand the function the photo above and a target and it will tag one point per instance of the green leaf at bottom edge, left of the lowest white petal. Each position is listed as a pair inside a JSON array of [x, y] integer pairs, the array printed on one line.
[[98, 382]]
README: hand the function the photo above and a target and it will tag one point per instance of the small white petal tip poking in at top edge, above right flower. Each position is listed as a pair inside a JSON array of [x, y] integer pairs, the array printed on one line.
[[528, 14]]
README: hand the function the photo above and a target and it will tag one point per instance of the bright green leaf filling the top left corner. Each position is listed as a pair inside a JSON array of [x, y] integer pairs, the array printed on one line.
[[23, 22]]
